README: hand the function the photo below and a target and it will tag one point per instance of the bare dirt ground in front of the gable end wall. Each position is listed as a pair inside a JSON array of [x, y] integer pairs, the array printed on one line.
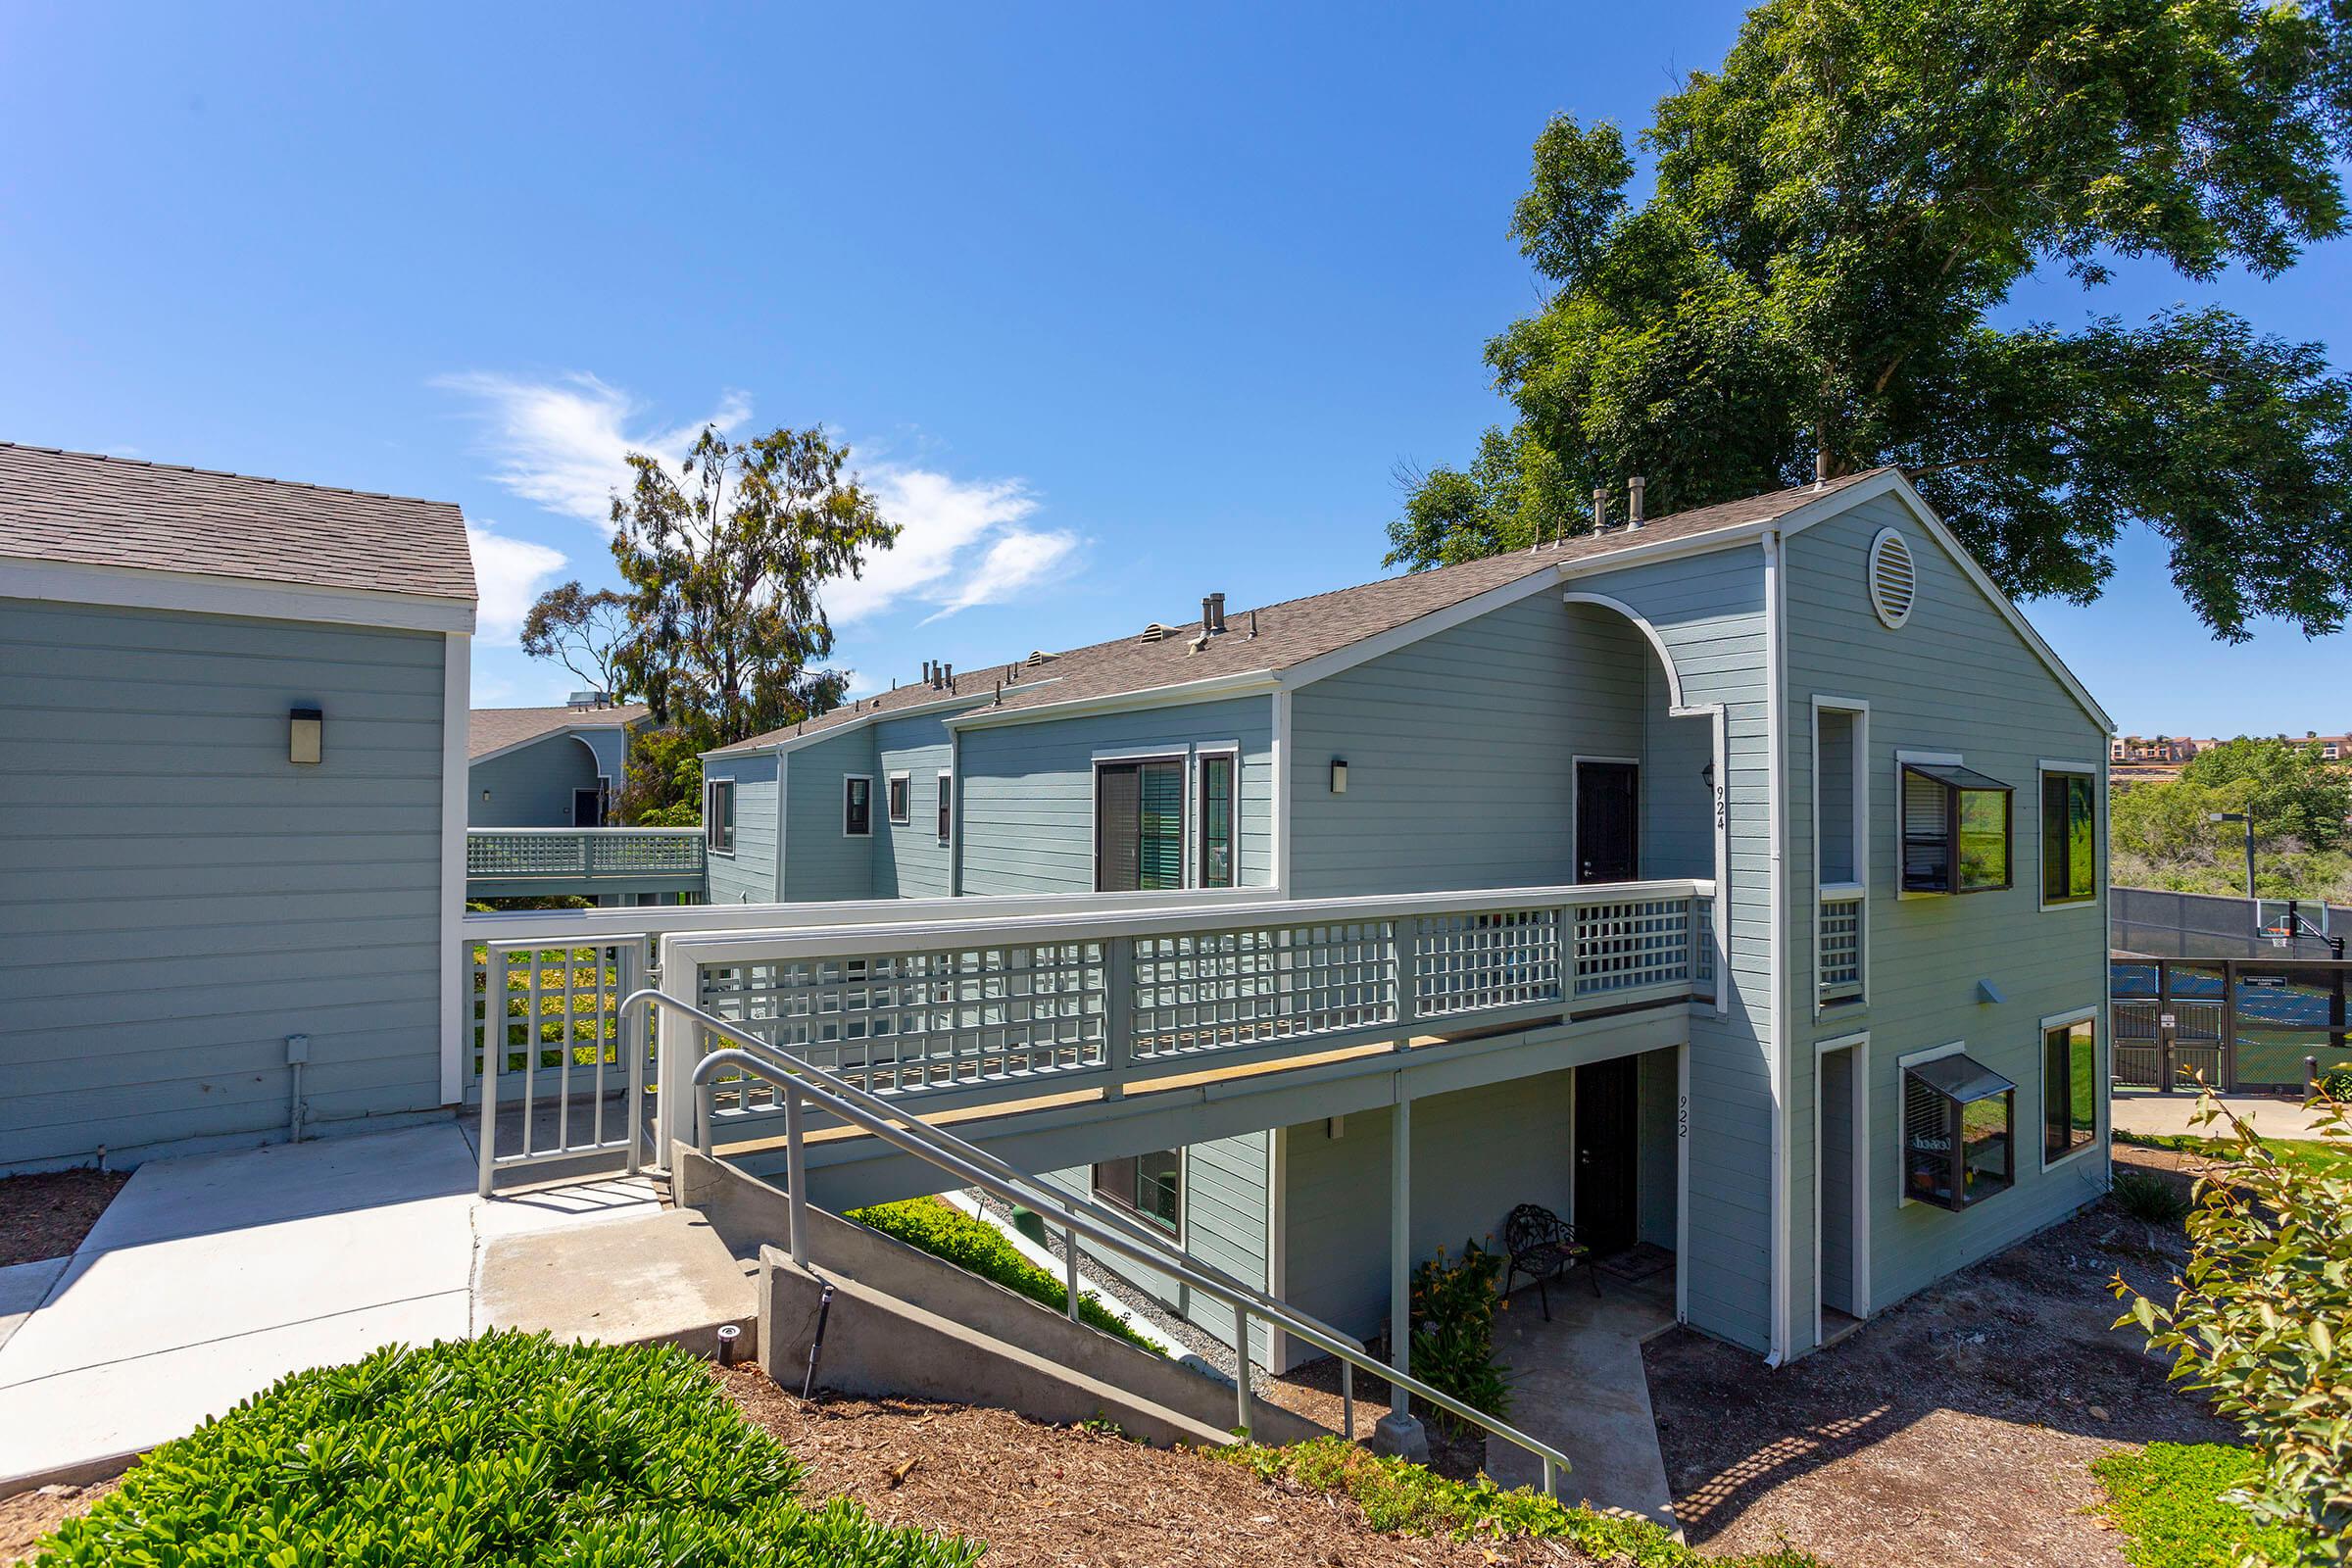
[[1958, 1428]]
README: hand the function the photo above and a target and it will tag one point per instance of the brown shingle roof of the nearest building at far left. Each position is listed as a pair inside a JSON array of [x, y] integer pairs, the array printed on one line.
[[98, 511]]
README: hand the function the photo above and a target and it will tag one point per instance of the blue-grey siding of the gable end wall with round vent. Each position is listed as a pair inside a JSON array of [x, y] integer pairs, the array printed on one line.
[[1956, 678]]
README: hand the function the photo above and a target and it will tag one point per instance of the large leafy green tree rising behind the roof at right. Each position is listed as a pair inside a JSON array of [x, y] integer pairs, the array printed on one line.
[[1840, 210]]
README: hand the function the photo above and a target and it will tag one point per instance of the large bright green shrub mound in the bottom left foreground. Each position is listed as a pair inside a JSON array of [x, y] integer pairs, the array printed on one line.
[[507, 1449]]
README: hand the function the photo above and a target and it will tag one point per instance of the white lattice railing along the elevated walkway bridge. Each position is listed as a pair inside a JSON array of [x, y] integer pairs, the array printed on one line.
[[1104, 993]]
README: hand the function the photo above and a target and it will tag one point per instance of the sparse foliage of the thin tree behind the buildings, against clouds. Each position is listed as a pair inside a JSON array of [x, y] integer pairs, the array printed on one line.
[[723, 568]]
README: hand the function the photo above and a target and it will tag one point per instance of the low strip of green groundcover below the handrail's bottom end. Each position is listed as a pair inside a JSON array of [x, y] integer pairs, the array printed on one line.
[[1405, 1499]]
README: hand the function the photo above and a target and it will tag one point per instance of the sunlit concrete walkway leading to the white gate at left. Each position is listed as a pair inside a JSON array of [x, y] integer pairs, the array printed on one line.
[[213, 1278]]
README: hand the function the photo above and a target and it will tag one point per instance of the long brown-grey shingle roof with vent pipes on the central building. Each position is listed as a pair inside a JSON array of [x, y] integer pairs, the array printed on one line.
[[1297, 631]]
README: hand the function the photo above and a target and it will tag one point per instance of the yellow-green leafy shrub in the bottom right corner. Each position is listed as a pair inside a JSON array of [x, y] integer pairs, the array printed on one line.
[[2261, 1325]]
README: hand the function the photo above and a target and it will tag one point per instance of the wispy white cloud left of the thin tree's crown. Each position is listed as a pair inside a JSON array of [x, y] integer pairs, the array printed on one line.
[[563, 443]]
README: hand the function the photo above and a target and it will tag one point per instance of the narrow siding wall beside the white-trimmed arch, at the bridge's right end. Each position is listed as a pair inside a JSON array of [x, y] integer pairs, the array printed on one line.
[[1709, 610]]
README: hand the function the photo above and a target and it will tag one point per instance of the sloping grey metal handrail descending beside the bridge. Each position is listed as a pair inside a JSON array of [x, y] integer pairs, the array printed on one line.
[[989, 1174]]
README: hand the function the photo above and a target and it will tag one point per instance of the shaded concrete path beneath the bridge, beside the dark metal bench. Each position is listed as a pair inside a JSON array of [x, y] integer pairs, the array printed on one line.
[[1579, 1386]]
